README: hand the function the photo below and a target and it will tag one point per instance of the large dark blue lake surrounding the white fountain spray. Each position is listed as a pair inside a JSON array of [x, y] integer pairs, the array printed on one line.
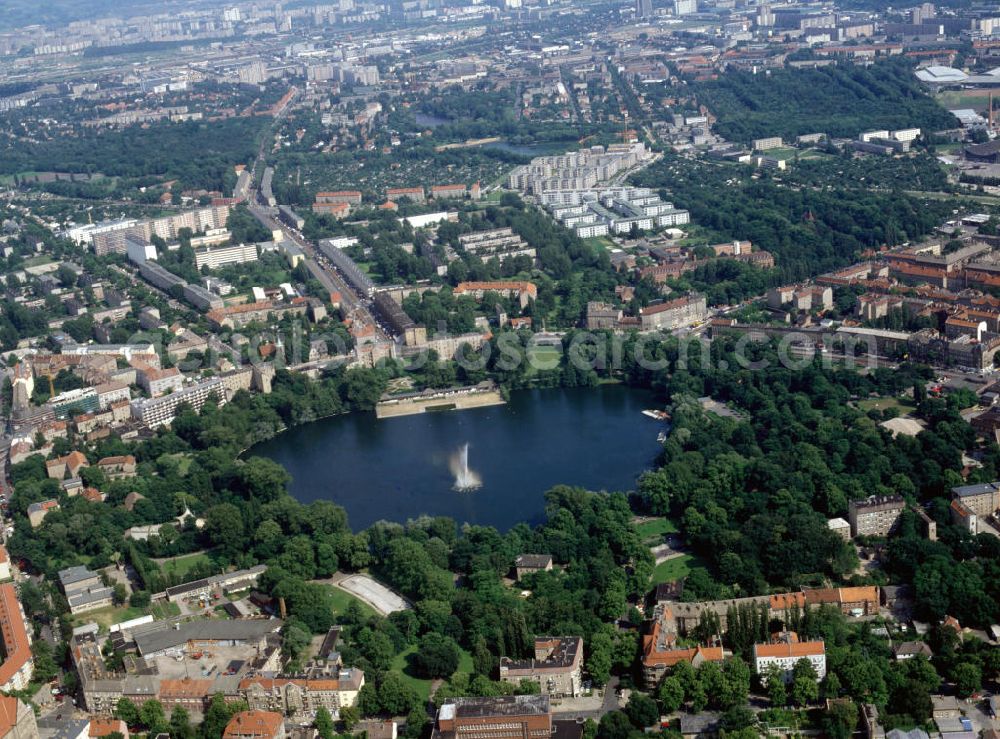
[[398, 468]]
